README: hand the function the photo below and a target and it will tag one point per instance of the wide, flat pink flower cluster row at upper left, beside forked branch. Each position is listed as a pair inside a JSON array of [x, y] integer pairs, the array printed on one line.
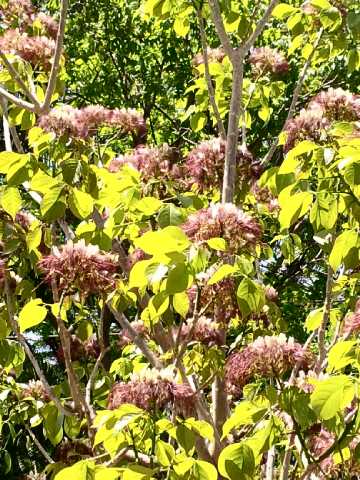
[[83, 122]]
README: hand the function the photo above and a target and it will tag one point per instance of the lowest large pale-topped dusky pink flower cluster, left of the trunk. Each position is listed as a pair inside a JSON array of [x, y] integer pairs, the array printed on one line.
[[153, 390]]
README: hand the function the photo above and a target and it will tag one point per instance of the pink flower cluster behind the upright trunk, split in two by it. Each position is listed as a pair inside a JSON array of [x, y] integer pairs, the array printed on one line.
[[205, 165]]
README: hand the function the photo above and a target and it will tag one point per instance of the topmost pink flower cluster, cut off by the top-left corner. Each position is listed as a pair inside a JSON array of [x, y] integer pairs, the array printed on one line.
[[22, 14]]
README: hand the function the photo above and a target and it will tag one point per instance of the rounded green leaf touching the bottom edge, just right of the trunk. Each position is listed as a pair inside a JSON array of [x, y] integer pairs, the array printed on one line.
[[236, 462]]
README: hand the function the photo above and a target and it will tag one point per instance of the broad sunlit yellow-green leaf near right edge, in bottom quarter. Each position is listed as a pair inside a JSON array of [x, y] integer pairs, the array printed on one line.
[[332, 395]]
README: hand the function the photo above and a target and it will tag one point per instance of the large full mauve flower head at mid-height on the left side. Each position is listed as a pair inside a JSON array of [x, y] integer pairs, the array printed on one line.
[[77, 266]]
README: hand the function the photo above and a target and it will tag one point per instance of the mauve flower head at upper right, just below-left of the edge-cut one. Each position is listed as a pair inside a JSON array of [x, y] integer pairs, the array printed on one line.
[[308, 125]]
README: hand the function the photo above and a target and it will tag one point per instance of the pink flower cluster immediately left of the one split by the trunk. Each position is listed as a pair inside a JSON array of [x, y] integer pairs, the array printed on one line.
[[151, 162]]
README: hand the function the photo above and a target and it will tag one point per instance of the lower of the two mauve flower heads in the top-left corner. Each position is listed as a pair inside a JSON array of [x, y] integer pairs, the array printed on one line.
[[36, 50]]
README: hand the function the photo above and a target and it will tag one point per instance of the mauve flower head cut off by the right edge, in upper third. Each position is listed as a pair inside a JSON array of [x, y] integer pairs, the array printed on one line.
[[337, 105]]
